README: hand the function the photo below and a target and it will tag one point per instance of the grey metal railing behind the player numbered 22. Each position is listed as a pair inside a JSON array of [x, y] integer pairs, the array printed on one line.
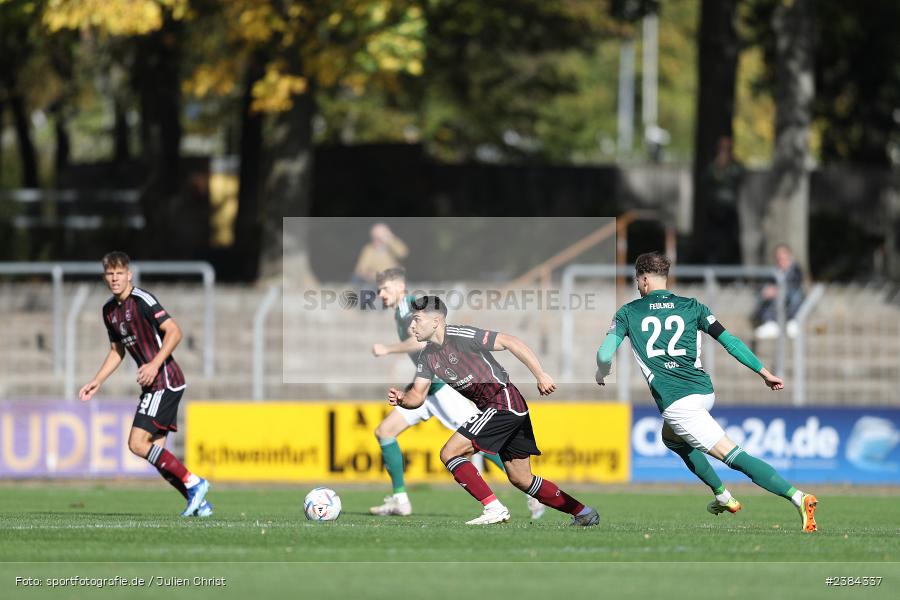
[[710, 274]]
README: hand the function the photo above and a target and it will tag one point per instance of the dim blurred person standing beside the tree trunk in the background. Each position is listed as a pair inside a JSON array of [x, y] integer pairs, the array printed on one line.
[[722, 182]]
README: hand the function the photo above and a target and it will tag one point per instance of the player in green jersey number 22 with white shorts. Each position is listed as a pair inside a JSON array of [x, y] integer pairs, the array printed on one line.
[[665, 338]]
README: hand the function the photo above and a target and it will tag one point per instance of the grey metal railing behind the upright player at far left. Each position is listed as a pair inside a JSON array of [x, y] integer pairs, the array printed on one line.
[[58, 271]]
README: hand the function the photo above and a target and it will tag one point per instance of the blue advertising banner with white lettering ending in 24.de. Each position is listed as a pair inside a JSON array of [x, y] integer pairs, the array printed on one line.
[[806, 445]]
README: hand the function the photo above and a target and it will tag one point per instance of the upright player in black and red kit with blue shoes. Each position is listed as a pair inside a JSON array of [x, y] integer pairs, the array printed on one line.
[[136, 322]]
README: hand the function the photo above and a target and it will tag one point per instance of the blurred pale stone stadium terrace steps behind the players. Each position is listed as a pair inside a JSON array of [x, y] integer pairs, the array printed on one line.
[[854, 334]]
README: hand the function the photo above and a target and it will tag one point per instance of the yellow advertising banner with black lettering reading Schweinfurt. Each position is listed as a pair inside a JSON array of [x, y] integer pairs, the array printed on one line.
[[335, 441]]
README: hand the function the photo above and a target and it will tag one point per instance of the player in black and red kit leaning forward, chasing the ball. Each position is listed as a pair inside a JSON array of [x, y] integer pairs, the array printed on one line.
[[461, 356]]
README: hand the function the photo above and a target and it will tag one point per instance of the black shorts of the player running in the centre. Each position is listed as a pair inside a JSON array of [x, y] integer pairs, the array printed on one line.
[[501, 432]]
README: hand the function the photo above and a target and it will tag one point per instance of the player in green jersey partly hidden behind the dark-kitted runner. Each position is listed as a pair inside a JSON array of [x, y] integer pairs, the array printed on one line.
[[442, 401]]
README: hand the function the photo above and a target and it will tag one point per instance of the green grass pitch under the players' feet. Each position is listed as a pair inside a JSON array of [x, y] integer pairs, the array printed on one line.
[[658, 541]]
